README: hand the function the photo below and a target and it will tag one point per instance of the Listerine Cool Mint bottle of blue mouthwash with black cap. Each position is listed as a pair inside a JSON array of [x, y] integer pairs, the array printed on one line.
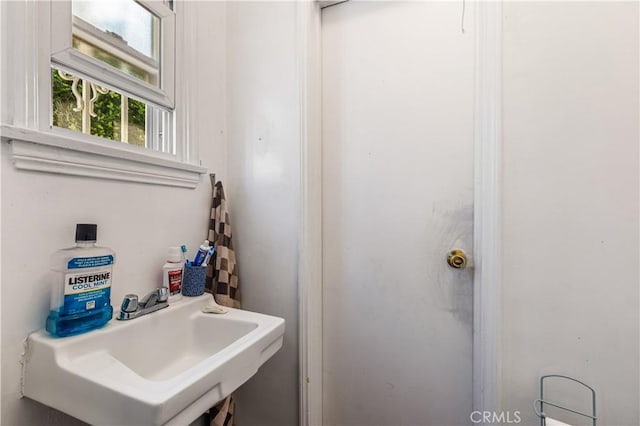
[[81, 293]]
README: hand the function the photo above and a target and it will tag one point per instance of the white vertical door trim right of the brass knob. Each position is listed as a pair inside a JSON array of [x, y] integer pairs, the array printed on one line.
[[487, 208]]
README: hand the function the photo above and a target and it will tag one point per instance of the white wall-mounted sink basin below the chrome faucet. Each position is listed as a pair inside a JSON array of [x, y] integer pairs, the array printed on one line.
[[167, 367]]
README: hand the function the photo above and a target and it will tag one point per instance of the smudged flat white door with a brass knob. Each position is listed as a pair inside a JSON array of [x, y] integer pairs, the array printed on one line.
[[398, 84]]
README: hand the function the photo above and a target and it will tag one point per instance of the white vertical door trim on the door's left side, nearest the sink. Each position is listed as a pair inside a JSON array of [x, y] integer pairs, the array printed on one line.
[[310, 246]]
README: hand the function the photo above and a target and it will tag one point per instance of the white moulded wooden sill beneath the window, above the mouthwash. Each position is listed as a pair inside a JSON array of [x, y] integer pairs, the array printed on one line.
[[53, 153]]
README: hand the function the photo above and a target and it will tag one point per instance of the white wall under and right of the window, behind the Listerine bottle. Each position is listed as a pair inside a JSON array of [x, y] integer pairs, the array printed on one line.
[[39, 213]]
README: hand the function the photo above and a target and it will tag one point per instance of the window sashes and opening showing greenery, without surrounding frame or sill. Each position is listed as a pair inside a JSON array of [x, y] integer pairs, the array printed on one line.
[[112, 70]]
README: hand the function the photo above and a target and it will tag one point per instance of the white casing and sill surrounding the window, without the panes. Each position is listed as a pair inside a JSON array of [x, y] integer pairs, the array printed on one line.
[[26, 119]]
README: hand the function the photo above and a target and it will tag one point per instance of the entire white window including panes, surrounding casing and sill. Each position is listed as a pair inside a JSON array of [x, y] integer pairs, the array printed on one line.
[[88, 93]]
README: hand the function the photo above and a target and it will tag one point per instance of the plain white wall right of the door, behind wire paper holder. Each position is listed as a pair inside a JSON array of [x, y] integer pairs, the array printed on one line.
[[571, 202]]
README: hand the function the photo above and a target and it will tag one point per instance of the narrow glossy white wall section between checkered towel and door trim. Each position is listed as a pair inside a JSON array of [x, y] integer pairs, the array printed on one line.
[[263, 191]]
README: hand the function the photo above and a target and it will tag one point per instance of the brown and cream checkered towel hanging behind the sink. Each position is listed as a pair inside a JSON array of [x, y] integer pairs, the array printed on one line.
[[222, 281]]
